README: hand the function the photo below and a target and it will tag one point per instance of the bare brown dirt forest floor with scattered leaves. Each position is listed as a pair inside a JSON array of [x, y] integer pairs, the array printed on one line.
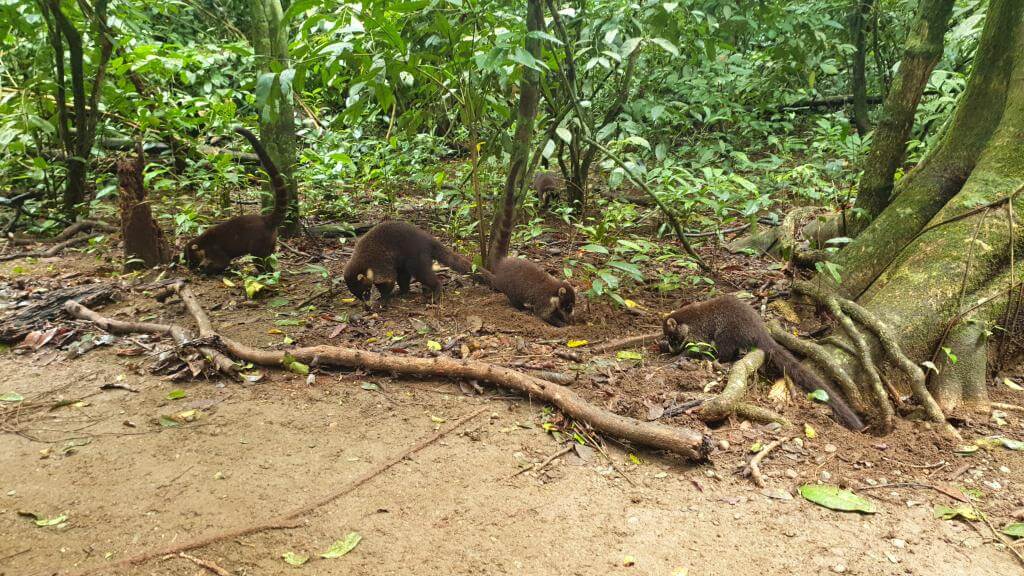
[[129, 485]]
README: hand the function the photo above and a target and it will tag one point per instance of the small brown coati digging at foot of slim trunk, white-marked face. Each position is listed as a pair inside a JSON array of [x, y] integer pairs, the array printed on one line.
[[528, 286]]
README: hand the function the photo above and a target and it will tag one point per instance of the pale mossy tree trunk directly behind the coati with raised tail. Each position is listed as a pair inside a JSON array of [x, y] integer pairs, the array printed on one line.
[[277, 125]]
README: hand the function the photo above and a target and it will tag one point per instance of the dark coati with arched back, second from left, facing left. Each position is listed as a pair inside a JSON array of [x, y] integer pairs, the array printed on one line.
[[397, 253]]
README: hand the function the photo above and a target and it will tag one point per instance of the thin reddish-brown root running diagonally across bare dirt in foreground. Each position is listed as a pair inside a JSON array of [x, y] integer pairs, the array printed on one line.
[[286, 519]]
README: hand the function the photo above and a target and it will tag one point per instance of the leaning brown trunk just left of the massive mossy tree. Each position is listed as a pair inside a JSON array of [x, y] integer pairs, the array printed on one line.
[[921, 54]]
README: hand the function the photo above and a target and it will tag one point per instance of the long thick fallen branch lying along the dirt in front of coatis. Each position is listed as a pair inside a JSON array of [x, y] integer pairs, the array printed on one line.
[[685, 442]]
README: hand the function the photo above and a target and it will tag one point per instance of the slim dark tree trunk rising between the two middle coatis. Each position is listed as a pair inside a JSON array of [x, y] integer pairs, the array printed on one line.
[[516, 183]]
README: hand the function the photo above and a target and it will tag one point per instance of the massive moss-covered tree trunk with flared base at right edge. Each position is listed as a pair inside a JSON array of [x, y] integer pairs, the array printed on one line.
[[937, 266]]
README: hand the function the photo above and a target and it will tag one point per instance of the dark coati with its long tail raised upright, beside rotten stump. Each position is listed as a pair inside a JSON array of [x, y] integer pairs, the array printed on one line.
[[214, 251]]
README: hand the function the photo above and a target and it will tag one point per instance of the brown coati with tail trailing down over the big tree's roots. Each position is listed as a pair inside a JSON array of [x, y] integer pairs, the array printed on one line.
[[734, 326]]
